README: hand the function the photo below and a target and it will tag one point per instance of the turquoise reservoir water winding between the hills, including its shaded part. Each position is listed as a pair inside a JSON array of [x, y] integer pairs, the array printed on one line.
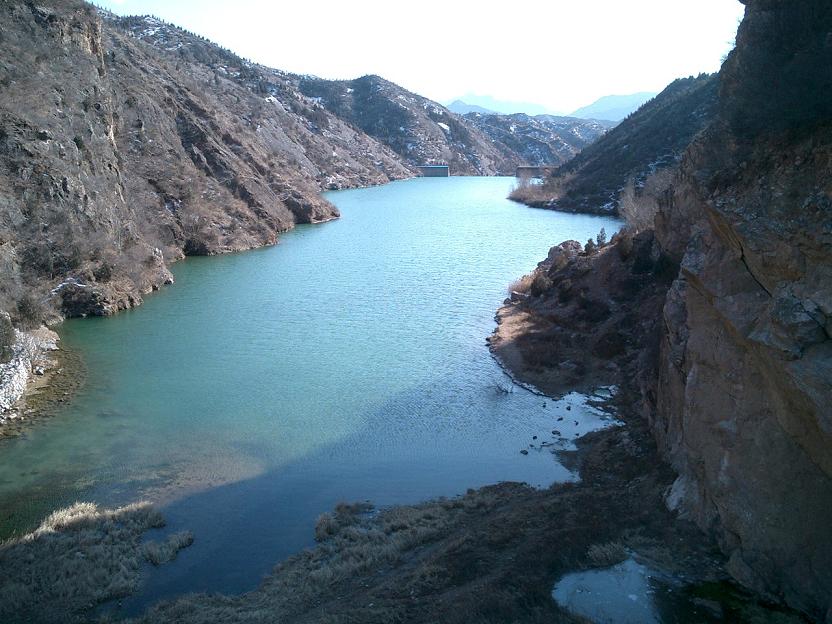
[[348, 362]]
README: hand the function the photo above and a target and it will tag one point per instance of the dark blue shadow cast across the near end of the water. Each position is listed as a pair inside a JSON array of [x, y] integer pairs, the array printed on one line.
[[243, 529]]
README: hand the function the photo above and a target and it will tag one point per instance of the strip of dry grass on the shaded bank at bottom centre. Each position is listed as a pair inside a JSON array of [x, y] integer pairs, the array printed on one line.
[[353, 541]]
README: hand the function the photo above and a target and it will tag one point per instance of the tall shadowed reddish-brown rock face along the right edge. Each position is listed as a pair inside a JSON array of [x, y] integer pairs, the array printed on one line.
[[744, 389]]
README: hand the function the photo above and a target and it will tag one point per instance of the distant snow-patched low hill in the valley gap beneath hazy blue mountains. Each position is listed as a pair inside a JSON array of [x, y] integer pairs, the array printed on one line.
[[540, 140]]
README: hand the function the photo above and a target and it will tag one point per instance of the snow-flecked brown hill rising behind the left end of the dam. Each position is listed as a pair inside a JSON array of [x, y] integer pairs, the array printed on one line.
[[419, 130]]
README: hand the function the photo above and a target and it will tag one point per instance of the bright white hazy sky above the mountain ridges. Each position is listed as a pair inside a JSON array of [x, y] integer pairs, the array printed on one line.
[[562, 54]]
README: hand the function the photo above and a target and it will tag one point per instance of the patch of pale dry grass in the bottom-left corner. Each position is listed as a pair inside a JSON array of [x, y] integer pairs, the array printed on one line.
[[76, 558]]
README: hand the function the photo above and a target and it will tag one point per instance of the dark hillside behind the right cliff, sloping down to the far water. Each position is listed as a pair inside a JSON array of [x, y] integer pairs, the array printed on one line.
[[650, 139]]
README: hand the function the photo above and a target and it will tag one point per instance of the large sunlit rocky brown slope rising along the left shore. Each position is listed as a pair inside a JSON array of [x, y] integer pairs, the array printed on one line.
[[117, 157]]
